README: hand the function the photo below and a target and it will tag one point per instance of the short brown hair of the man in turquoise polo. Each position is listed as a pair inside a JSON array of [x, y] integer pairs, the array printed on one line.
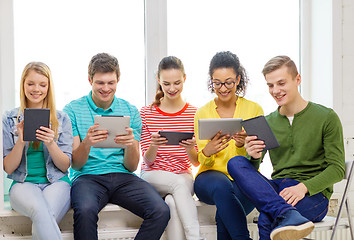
[[103, 63]]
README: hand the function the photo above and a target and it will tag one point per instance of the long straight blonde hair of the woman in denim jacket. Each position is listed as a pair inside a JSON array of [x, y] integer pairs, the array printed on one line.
[[49, 100]]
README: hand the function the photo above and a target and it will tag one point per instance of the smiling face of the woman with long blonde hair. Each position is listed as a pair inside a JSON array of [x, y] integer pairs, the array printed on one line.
[[36, 89]]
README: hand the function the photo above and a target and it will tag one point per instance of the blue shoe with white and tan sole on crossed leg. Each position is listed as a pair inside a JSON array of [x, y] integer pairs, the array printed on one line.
[[291, 226]]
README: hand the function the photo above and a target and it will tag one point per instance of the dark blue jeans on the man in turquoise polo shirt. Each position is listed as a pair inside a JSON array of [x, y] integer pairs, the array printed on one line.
[[91, 193]]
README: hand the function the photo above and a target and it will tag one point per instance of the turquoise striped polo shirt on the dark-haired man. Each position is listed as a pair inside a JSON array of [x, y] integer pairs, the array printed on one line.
[[100, 160]]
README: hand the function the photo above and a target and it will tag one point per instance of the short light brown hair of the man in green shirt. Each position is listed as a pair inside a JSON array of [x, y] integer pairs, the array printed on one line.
[[279, 61]]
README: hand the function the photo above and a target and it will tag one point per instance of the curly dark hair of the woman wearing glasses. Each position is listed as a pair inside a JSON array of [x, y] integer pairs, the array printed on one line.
[[228, 59]]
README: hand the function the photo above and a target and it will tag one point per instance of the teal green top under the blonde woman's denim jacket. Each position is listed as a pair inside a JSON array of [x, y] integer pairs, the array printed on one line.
[[36, 167]]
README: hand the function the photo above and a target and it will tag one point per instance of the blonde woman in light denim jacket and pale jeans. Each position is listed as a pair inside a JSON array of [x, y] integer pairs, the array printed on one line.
[[41, 188]]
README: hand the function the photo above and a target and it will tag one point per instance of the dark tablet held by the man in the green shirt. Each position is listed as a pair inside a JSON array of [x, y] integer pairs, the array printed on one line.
[[259, 127]]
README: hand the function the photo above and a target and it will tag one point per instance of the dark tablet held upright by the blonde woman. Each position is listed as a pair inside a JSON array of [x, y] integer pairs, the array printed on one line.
[[34, 118]]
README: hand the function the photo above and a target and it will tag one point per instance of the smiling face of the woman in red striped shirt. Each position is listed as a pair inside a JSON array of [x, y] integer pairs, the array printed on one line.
[[171, 81]]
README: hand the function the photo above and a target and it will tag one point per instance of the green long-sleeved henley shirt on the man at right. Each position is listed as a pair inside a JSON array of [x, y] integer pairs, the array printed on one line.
[[311, 148]]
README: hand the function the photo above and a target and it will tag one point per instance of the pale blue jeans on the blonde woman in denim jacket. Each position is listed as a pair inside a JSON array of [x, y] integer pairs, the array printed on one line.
[[44, 203]]
